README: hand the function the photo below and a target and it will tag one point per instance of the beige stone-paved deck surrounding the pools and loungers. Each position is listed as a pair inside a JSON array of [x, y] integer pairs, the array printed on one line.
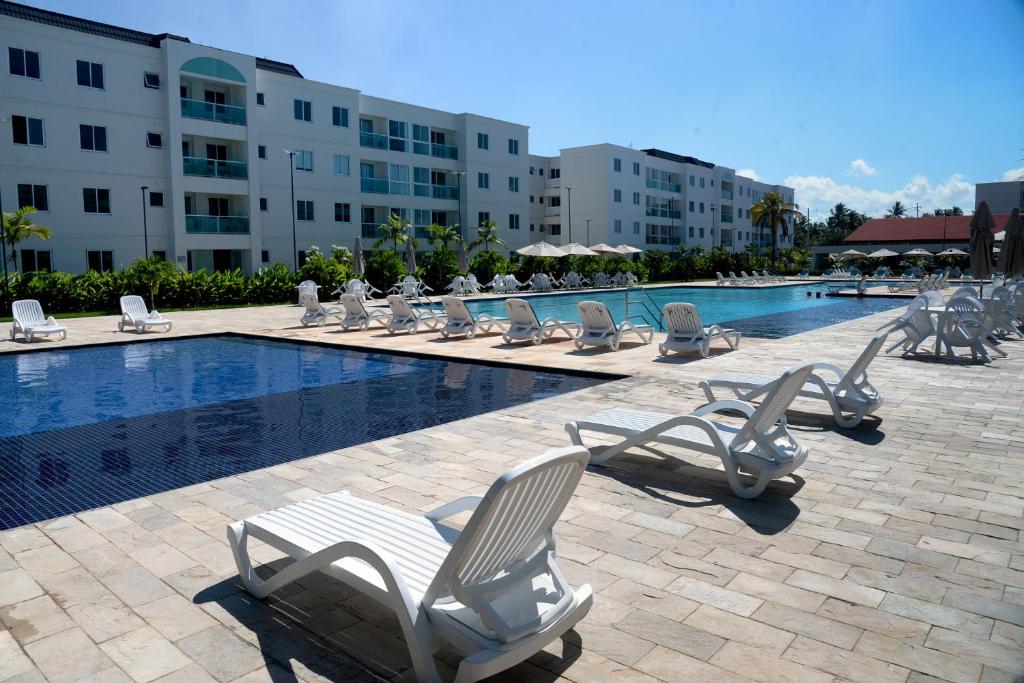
[[899, 558]]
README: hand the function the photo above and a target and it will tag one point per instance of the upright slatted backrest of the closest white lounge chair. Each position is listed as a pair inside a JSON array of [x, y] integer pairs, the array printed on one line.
[[509, 540]]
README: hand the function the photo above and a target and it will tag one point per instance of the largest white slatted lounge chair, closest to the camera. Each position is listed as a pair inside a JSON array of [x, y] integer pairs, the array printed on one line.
[[493, 590]]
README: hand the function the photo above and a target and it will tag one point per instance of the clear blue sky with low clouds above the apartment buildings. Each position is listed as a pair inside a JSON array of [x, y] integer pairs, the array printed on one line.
[[861, 102]]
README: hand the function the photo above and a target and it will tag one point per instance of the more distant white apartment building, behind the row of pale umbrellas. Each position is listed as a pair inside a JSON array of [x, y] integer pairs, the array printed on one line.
[[649, 199]]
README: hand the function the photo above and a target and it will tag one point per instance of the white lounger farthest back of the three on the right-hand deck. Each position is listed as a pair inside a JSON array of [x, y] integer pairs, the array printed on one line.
[[850, 393]]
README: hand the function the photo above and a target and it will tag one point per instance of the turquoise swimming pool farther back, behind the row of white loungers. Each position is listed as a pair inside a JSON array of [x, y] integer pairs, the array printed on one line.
[[770, 313]]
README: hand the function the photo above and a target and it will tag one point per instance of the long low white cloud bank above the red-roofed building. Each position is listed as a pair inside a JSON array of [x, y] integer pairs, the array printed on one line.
[[822, 194]]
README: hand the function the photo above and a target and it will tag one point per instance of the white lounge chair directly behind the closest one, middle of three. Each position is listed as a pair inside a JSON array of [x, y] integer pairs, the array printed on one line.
[[763, 447]]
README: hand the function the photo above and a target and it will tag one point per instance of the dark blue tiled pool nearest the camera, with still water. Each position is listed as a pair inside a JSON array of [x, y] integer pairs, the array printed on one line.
[[83, 429]]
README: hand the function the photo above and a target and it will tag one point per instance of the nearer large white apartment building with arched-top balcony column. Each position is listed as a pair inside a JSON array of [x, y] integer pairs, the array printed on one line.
[[95, 113]]
